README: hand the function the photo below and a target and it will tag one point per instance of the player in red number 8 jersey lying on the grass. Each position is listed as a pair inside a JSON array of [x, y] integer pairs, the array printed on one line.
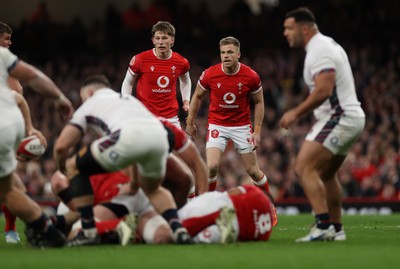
[[242, 213]]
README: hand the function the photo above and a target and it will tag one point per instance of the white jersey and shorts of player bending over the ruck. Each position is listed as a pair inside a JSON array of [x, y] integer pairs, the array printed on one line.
[[129, 133]]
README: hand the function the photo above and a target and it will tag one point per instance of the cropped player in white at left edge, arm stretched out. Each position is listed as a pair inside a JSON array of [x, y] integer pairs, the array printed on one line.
[[40, 232]]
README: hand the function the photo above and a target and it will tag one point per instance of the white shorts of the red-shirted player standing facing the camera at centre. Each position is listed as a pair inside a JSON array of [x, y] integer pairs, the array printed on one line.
[[219, 136]]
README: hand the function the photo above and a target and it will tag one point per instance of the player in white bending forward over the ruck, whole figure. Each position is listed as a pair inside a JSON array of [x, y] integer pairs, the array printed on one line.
[[129, 134]]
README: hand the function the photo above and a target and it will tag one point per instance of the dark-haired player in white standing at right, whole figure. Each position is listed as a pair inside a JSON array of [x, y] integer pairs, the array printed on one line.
[[340, 121]]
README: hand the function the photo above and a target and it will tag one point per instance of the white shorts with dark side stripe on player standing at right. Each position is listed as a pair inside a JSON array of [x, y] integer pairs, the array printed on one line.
[[337, 134]]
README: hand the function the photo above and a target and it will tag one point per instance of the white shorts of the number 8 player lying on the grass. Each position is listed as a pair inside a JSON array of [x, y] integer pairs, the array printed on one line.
[[205, 204]]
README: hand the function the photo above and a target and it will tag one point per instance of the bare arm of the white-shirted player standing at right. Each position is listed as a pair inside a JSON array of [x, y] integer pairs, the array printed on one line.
[[324, 85]]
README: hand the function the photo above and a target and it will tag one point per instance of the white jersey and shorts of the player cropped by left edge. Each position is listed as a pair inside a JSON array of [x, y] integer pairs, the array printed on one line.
[[12, 126]]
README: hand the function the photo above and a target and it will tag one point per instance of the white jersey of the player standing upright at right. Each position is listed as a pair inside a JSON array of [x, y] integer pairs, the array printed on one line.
[[324, 54]]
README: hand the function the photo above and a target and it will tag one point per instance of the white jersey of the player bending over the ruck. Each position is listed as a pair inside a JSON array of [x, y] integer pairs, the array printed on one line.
[[108, 111]]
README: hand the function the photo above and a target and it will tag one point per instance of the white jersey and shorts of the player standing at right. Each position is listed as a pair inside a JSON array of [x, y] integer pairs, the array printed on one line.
[[340, 119]]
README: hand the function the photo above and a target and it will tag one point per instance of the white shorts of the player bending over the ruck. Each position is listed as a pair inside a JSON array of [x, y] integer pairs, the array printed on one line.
[[143, 144]]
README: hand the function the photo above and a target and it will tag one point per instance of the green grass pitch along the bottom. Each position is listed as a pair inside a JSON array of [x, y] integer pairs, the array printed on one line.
[[372, 242]]
